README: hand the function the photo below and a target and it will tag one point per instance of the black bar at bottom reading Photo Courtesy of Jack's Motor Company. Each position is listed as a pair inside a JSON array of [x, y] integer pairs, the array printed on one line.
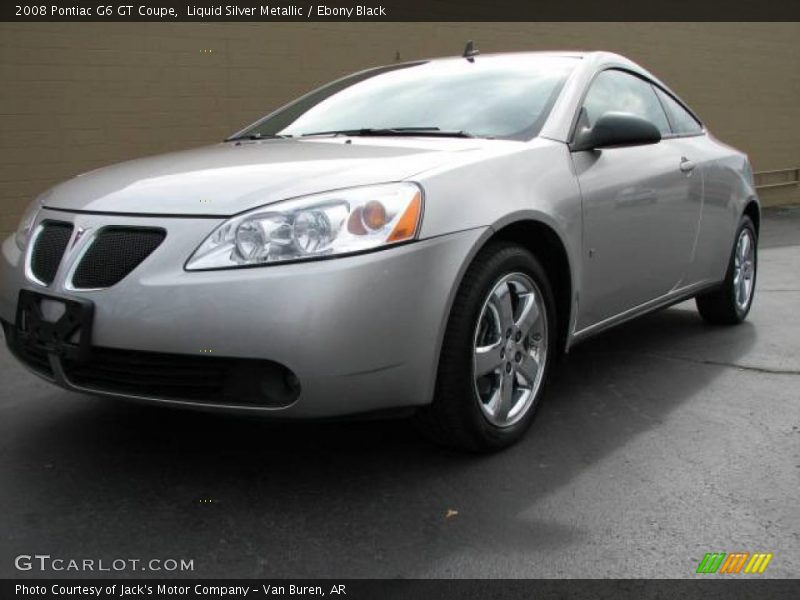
[[711, 587]]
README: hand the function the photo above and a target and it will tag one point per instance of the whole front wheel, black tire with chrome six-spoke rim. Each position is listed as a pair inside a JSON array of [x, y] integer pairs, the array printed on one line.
[[496, 352]]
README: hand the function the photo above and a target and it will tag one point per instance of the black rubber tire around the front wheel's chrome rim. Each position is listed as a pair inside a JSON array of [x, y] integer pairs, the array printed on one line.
[[455, 419]]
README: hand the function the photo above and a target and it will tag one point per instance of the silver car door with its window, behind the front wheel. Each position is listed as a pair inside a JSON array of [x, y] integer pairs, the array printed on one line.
[[640, 205]]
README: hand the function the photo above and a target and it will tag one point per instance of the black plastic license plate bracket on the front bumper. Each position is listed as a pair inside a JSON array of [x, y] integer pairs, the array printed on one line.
[[55, 337]]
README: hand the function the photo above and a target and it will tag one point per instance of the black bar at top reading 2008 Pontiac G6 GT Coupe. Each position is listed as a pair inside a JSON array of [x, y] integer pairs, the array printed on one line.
[[399, 10]]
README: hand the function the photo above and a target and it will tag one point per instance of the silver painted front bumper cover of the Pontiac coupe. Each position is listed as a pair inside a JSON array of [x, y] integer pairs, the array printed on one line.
[[361, 333]]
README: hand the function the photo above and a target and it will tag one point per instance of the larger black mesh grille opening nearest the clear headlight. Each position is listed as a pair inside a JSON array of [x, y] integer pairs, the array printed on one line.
[[114, 253]]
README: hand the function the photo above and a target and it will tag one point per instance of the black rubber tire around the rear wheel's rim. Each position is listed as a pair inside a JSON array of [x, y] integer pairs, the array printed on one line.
[[719, 307]]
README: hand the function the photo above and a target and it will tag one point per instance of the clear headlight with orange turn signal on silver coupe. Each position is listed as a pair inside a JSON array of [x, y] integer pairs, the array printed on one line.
[[329, 224]]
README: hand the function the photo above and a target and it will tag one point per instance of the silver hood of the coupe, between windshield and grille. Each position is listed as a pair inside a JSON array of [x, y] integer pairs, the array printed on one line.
[[229, 178]]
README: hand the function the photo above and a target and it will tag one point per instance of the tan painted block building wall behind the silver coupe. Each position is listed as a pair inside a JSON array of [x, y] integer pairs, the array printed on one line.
[[76, 96]]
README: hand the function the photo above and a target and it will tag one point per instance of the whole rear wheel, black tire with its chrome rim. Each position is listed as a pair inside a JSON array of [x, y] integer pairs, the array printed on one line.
[[730, 303]]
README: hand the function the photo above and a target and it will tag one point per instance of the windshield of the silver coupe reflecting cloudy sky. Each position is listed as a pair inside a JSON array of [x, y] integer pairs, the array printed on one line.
[[505, 97]]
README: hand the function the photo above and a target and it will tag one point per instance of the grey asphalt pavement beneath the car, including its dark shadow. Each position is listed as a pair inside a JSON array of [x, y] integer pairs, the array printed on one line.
[[657, 442]]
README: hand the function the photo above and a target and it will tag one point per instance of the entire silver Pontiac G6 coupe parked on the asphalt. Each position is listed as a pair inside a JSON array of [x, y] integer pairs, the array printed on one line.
[[426, 235]]
